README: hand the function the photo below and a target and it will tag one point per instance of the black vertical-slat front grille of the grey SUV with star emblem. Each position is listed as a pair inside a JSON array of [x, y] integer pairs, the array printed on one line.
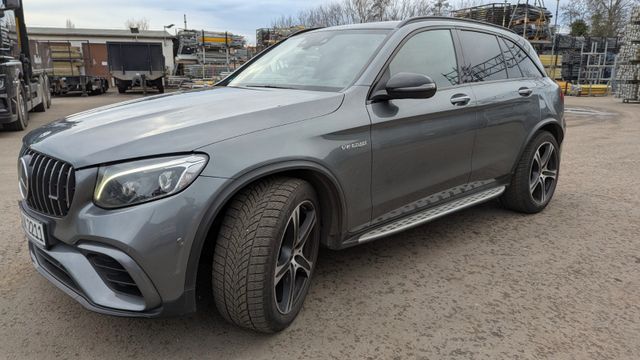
[[51, 184]]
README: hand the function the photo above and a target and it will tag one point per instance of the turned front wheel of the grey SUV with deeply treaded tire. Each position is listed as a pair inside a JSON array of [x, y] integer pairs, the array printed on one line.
[[256, 239]]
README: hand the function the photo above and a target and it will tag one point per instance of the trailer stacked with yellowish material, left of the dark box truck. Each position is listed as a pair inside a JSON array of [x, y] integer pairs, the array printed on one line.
[[69, 73]]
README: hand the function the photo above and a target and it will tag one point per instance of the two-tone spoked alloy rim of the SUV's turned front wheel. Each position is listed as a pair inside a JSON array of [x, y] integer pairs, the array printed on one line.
[[296, 257]]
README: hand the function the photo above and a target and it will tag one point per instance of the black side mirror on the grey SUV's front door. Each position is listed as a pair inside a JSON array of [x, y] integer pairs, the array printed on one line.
[[407, 86]]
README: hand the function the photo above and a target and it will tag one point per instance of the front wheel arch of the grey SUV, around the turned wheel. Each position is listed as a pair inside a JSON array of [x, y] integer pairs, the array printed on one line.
[[329, 191]]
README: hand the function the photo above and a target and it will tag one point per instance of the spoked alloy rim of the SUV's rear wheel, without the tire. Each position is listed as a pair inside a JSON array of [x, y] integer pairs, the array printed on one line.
[[544, 172]]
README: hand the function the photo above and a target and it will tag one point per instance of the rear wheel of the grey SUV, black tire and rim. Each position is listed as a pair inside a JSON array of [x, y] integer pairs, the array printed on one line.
[[533, 183]]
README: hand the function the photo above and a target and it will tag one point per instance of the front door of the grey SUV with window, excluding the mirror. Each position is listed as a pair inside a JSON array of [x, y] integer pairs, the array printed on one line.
[[421, 147]]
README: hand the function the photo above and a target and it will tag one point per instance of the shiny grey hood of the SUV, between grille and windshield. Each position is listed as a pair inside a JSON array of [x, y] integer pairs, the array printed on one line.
[[173, 123]]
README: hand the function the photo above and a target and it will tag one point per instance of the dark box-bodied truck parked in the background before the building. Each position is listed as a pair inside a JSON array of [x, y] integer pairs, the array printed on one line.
[[136, 65]]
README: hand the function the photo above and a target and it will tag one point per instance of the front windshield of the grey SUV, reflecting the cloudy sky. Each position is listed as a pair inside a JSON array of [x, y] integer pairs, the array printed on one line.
[[326, 60]]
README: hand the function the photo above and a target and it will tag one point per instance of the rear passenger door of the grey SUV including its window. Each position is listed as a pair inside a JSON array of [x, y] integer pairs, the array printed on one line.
[[507, 102]]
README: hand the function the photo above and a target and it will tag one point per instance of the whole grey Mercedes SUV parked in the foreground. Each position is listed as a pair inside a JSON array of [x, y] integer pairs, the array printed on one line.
[[334, 137]]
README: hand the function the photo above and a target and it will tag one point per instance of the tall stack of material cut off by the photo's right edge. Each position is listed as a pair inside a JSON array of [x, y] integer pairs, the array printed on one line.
[[628, 60]]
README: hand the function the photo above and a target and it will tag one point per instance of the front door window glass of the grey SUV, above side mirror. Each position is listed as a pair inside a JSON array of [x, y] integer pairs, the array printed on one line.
[[428, 53]]
